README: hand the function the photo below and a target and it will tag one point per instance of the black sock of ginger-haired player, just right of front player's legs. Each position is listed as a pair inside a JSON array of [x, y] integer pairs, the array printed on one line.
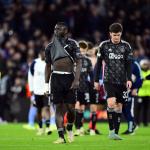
[[79, 120]]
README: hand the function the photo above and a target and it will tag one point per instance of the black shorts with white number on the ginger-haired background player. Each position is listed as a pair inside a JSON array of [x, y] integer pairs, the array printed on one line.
[[83, 97]]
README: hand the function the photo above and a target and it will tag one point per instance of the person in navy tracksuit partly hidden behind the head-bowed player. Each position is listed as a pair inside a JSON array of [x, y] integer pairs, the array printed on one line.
[[128, 108]]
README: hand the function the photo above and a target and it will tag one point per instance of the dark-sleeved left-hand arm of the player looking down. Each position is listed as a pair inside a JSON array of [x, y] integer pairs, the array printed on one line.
[[98, 68]]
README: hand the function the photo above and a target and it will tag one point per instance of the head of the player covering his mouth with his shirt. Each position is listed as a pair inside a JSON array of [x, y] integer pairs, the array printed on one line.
[[60, 30]]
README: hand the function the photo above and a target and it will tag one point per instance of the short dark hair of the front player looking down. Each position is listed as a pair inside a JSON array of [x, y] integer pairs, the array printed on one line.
[[115, 28]]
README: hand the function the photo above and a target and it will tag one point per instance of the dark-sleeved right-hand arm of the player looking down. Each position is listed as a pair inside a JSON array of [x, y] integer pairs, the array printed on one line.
[[128, 63]]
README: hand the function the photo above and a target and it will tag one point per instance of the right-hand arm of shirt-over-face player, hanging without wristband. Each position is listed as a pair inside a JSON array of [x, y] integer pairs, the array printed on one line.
[[78, 62]]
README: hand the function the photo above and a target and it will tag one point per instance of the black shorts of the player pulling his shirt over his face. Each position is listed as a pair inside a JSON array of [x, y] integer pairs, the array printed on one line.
[[60, 88]]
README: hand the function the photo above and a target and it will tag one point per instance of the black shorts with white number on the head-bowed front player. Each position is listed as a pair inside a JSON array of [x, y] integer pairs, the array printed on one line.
[[118, 91]]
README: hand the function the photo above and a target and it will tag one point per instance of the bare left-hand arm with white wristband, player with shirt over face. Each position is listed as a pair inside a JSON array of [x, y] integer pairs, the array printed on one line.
[[47, 69]]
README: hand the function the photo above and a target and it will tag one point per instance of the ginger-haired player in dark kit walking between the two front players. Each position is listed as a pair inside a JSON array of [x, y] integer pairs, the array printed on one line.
[[83, 97]]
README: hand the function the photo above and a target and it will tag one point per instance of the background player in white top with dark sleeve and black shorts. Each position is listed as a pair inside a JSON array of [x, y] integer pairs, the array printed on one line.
[[36, 81]]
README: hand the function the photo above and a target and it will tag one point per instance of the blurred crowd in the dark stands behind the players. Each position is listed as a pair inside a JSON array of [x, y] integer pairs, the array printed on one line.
[[27, 25]]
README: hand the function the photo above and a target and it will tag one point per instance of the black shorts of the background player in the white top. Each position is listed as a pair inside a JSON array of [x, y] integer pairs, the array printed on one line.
[[41, 101]]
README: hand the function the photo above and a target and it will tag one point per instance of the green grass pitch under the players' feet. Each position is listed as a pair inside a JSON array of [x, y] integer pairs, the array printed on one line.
[[14, 137]]
